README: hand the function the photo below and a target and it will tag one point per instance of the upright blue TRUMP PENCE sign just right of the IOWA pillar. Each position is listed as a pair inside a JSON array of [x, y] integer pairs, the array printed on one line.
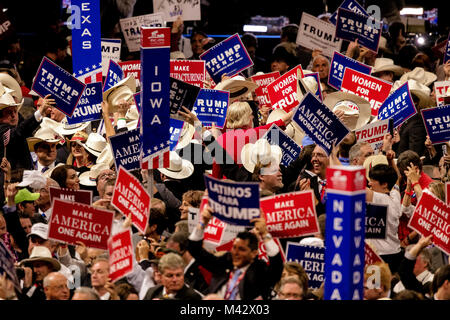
[[211, 107]]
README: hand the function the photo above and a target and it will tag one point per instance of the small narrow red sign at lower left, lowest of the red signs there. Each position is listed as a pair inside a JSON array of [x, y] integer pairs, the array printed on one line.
[[120, 250]]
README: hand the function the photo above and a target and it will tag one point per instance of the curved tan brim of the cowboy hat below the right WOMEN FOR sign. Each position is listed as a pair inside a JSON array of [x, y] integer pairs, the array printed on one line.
[[363, 105]]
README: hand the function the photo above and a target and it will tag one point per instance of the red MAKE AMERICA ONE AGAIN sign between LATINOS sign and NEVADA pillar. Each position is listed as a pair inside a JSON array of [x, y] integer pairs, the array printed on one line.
[[291, 214]]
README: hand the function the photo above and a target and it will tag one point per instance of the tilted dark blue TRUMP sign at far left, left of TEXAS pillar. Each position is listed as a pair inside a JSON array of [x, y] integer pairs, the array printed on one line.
[[63, 87]]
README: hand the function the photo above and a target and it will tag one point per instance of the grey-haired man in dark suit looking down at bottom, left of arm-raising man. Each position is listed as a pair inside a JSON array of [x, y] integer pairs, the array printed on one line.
[[171, 268]]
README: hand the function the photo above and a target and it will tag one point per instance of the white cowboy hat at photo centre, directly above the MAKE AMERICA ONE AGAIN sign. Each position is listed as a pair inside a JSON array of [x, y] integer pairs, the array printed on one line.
[[260, 152]]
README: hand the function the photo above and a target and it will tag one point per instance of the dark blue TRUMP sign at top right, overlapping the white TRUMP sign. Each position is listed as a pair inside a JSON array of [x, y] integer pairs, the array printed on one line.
[[351, 26]]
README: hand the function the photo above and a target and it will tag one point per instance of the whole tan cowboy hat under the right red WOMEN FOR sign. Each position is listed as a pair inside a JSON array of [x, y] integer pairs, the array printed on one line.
[[357, 110]]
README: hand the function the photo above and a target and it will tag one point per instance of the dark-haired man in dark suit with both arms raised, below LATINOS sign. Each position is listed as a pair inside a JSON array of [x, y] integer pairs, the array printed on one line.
[[239, 274]]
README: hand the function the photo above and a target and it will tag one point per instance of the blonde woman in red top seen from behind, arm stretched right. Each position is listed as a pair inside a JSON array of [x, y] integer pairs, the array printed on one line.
[[239, 132]]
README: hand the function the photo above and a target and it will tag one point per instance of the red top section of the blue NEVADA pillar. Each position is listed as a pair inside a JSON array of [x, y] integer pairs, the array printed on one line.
[[349, 179]]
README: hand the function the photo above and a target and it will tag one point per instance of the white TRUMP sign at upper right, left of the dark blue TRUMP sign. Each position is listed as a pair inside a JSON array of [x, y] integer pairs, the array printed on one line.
[[314, 33]]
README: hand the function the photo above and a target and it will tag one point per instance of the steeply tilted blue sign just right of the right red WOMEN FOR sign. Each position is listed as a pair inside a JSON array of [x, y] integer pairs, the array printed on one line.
[[398, 106]]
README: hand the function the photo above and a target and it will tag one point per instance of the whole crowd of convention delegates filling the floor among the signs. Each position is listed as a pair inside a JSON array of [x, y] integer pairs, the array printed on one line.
[[40, 150]]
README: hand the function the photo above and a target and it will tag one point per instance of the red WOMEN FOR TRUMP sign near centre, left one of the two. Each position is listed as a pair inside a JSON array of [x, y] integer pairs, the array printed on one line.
[[283, 91]]
